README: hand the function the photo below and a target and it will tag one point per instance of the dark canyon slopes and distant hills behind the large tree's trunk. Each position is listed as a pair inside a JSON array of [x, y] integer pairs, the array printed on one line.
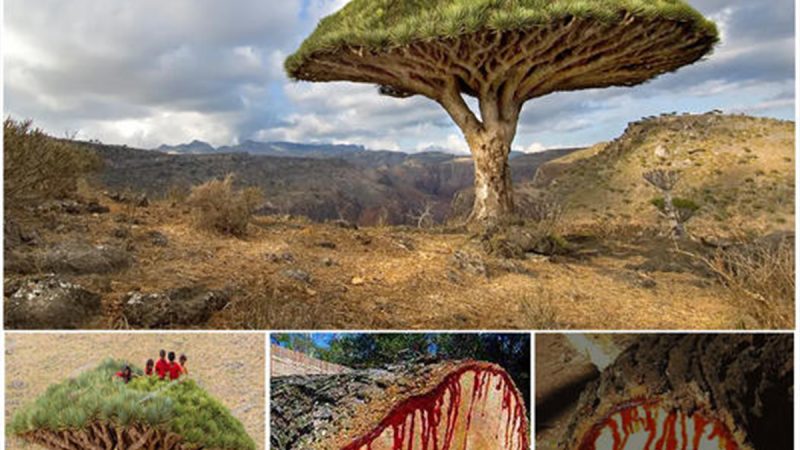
[[322, 183]]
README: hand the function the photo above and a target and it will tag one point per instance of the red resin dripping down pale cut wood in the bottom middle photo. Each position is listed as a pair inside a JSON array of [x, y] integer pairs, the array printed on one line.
[[427, 409]]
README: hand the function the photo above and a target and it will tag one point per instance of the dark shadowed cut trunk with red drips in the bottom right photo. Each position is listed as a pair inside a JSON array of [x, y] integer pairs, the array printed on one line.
[[690, 392]]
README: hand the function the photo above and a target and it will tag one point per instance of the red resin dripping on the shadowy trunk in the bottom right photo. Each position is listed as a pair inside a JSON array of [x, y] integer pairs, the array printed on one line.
[[627, 417]]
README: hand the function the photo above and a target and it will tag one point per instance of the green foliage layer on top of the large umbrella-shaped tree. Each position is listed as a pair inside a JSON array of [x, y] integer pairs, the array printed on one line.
[[380, 24]]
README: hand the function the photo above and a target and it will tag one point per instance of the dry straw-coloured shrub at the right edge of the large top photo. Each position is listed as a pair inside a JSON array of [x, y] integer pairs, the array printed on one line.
[[760, 275]]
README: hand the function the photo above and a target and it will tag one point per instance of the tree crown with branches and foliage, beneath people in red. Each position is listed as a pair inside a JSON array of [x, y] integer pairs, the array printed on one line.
[[93, 411]]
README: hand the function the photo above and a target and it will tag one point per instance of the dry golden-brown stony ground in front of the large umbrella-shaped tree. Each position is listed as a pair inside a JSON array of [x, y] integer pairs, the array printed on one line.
[[293, 274]]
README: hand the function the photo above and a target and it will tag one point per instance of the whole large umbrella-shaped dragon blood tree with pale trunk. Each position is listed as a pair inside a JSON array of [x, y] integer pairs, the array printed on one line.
[[504, 53]]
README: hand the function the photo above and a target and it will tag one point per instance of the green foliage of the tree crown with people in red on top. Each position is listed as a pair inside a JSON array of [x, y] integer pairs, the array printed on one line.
[[182, 407]]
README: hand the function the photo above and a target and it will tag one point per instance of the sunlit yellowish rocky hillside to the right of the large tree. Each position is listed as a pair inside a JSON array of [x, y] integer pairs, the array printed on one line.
[[738, 169]]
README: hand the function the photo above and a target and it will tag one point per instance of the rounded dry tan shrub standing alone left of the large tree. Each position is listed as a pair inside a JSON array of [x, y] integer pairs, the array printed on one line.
[[222, 208]]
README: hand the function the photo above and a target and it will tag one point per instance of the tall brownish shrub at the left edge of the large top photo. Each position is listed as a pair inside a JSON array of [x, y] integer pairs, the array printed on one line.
[[38, 167]]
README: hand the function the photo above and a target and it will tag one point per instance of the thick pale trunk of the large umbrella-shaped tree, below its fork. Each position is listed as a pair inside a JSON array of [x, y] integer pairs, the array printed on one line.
[[494, 203]]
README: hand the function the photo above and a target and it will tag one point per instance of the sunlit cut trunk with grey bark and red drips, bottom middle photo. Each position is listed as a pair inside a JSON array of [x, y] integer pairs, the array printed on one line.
[[442, 406]]
